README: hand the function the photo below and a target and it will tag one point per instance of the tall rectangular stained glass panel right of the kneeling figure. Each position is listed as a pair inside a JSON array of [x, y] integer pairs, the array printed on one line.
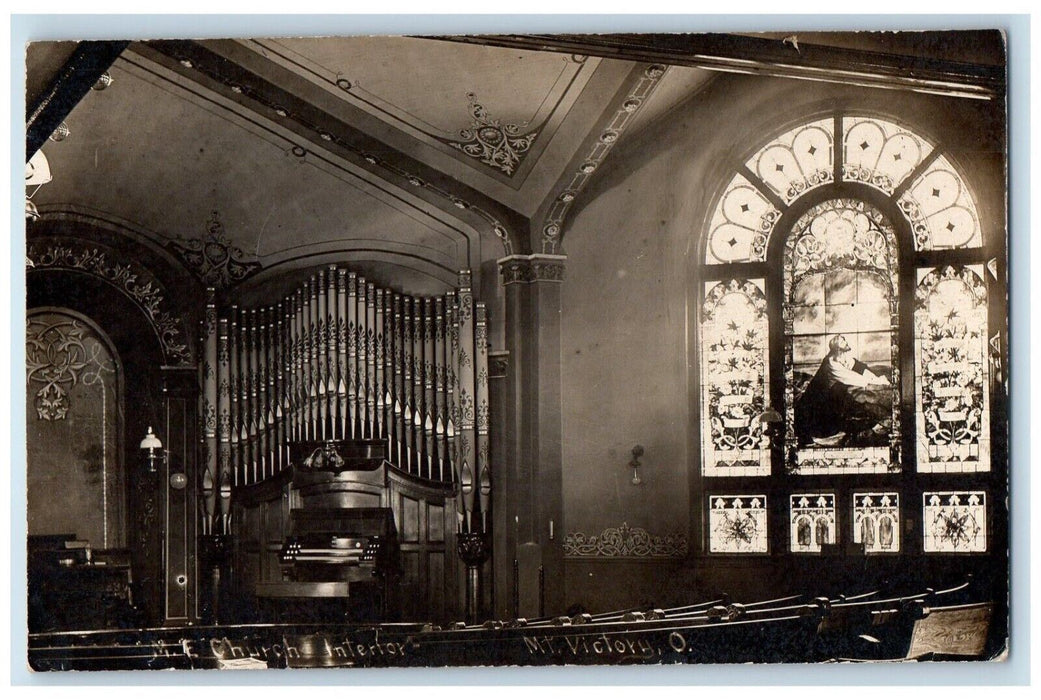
[[952, 401]]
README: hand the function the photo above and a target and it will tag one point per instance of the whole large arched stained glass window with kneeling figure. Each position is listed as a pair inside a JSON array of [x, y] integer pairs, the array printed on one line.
[[832, 309]]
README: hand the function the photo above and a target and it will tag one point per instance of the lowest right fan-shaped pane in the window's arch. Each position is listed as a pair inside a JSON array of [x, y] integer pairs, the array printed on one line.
[[942, 211]]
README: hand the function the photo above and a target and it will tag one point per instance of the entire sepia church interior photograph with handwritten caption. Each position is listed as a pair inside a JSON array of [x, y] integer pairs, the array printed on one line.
[[517, 349]]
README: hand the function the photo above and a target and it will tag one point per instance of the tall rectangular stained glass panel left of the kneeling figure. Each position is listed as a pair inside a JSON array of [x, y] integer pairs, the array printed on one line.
[[734, 380]]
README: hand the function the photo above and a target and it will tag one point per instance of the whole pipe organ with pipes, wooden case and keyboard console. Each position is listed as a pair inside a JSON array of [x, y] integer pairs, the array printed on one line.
[[345, 454]]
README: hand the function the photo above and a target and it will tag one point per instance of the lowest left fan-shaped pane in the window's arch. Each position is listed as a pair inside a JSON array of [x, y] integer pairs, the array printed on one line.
[[741, 226]]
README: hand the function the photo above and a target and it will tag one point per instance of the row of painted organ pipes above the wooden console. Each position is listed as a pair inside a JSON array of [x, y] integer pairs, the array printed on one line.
[[343, 360]]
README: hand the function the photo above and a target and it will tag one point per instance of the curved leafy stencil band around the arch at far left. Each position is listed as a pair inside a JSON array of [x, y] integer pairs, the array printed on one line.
[[130, 278]]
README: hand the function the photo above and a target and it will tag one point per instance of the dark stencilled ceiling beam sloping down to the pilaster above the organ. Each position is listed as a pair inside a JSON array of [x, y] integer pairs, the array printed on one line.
[[286, 110]]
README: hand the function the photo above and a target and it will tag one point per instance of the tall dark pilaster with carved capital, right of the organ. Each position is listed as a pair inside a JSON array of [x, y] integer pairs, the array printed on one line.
[[532, 515]]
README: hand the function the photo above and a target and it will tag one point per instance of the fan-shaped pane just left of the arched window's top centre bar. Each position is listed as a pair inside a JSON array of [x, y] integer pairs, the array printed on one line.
[[798, 161]]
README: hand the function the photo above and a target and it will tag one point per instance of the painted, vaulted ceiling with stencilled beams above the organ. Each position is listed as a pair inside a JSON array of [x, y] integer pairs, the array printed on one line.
[[411, 156]]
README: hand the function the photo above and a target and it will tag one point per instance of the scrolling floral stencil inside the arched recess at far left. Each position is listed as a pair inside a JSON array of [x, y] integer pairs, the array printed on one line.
[[60, 354]]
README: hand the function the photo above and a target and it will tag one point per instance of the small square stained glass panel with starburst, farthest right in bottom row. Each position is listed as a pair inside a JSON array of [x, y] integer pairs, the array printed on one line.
[[955, 522]]
